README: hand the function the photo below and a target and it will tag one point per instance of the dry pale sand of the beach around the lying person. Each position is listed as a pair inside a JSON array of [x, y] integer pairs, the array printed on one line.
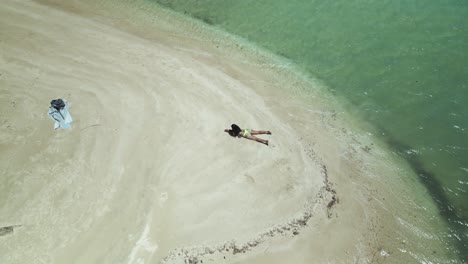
[[146, 173]]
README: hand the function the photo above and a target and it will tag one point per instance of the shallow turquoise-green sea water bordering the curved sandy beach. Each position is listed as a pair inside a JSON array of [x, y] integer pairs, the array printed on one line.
[[401, 65]]
